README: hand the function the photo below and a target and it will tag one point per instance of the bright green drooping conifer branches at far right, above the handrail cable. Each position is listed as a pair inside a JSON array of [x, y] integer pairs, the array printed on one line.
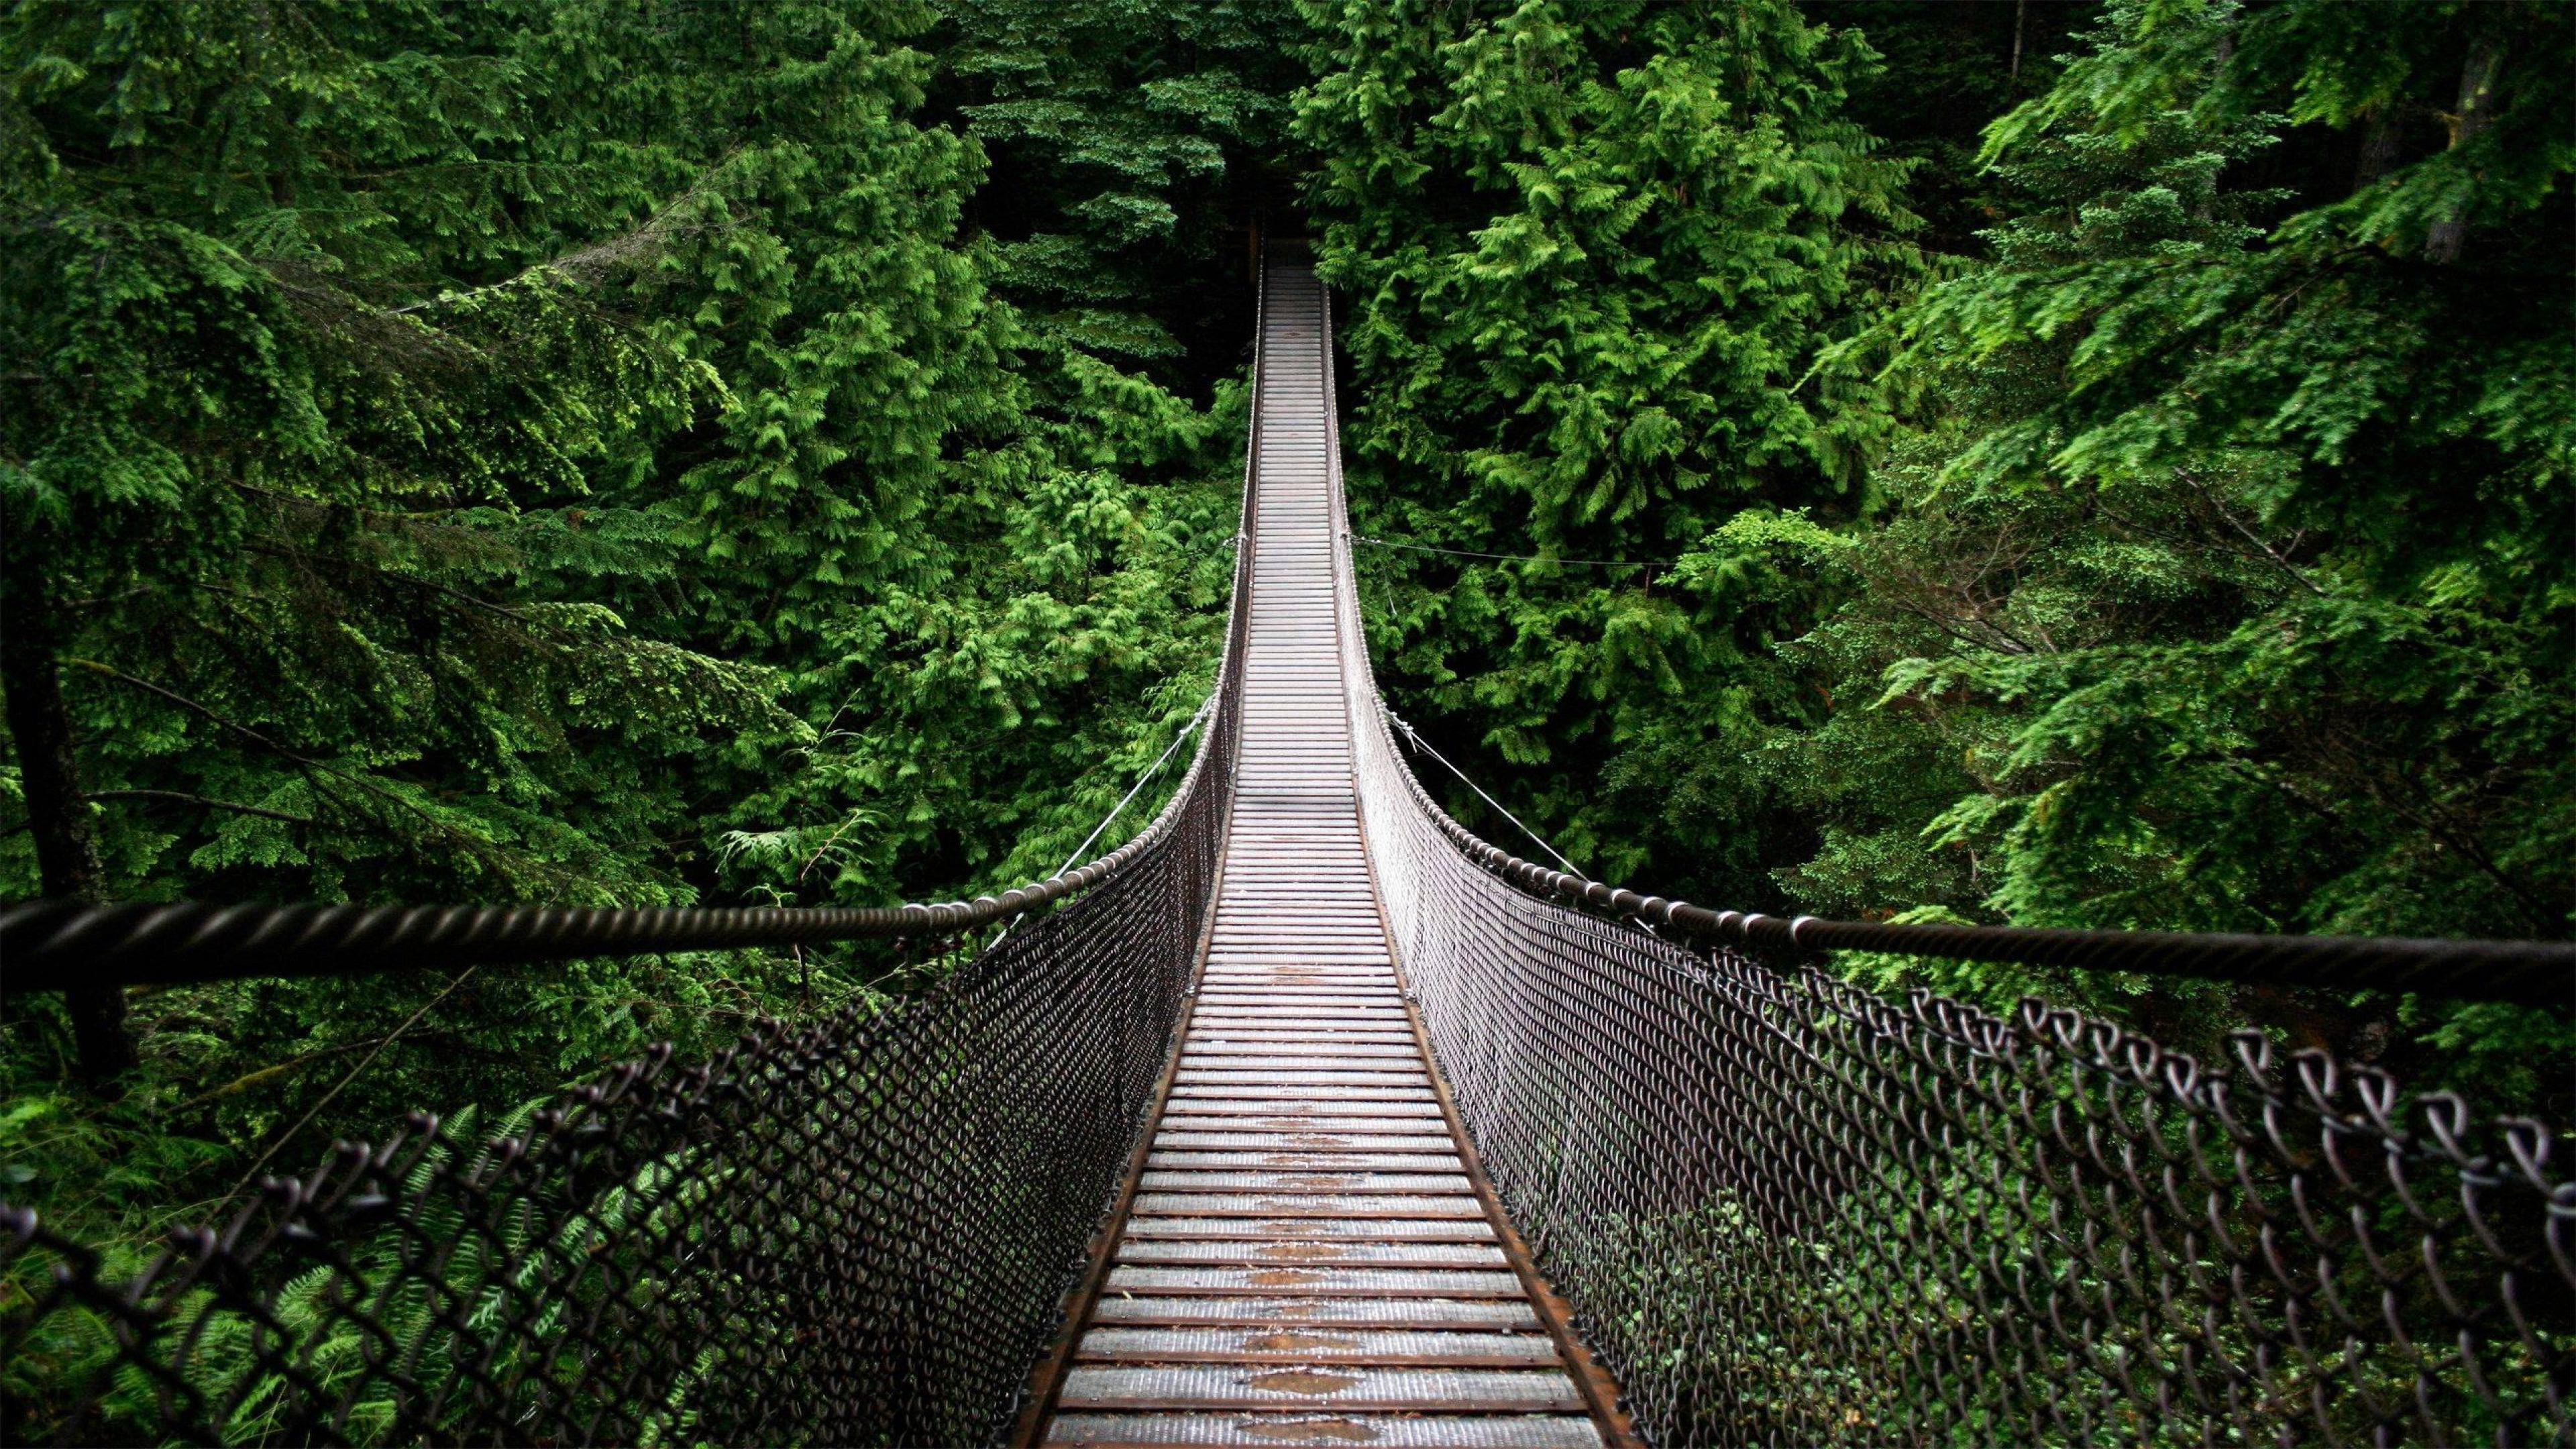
[[2230, 566]]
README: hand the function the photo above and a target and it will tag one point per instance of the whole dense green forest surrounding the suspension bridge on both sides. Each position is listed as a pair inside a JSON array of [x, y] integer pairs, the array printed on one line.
[[1995, 460]]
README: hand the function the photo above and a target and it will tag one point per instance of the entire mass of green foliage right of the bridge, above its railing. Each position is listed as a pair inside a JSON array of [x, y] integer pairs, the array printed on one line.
[[2186, 548]]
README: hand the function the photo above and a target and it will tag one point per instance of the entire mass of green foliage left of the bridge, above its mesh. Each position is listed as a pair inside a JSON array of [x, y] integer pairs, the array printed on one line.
[[558, 452]]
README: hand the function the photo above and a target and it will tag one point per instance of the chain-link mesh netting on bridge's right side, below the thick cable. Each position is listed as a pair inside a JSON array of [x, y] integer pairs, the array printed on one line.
[[1794, 1213]]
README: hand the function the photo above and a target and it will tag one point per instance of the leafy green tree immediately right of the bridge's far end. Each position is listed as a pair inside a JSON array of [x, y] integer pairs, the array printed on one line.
[[1593, 257]]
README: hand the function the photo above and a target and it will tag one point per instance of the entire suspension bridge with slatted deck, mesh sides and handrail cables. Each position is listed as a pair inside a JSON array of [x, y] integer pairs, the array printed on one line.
[[1310, 1118]]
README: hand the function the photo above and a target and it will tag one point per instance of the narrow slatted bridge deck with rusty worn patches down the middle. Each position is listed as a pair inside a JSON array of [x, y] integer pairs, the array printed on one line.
[[1307, 1257]]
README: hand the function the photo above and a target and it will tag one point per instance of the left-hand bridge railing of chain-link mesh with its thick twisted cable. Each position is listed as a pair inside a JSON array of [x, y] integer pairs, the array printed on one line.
[[854, 1231]]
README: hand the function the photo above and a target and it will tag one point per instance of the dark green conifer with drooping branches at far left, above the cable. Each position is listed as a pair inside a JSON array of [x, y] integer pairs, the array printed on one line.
[[316, 378]]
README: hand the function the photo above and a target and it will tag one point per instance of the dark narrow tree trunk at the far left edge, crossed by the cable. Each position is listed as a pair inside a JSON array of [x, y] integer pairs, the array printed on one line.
[[55, 811]]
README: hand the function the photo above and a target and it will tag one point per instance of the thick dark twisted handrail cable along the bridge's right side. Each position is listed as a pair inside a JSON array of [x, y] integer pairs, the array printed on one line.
[[2531, 973]]
